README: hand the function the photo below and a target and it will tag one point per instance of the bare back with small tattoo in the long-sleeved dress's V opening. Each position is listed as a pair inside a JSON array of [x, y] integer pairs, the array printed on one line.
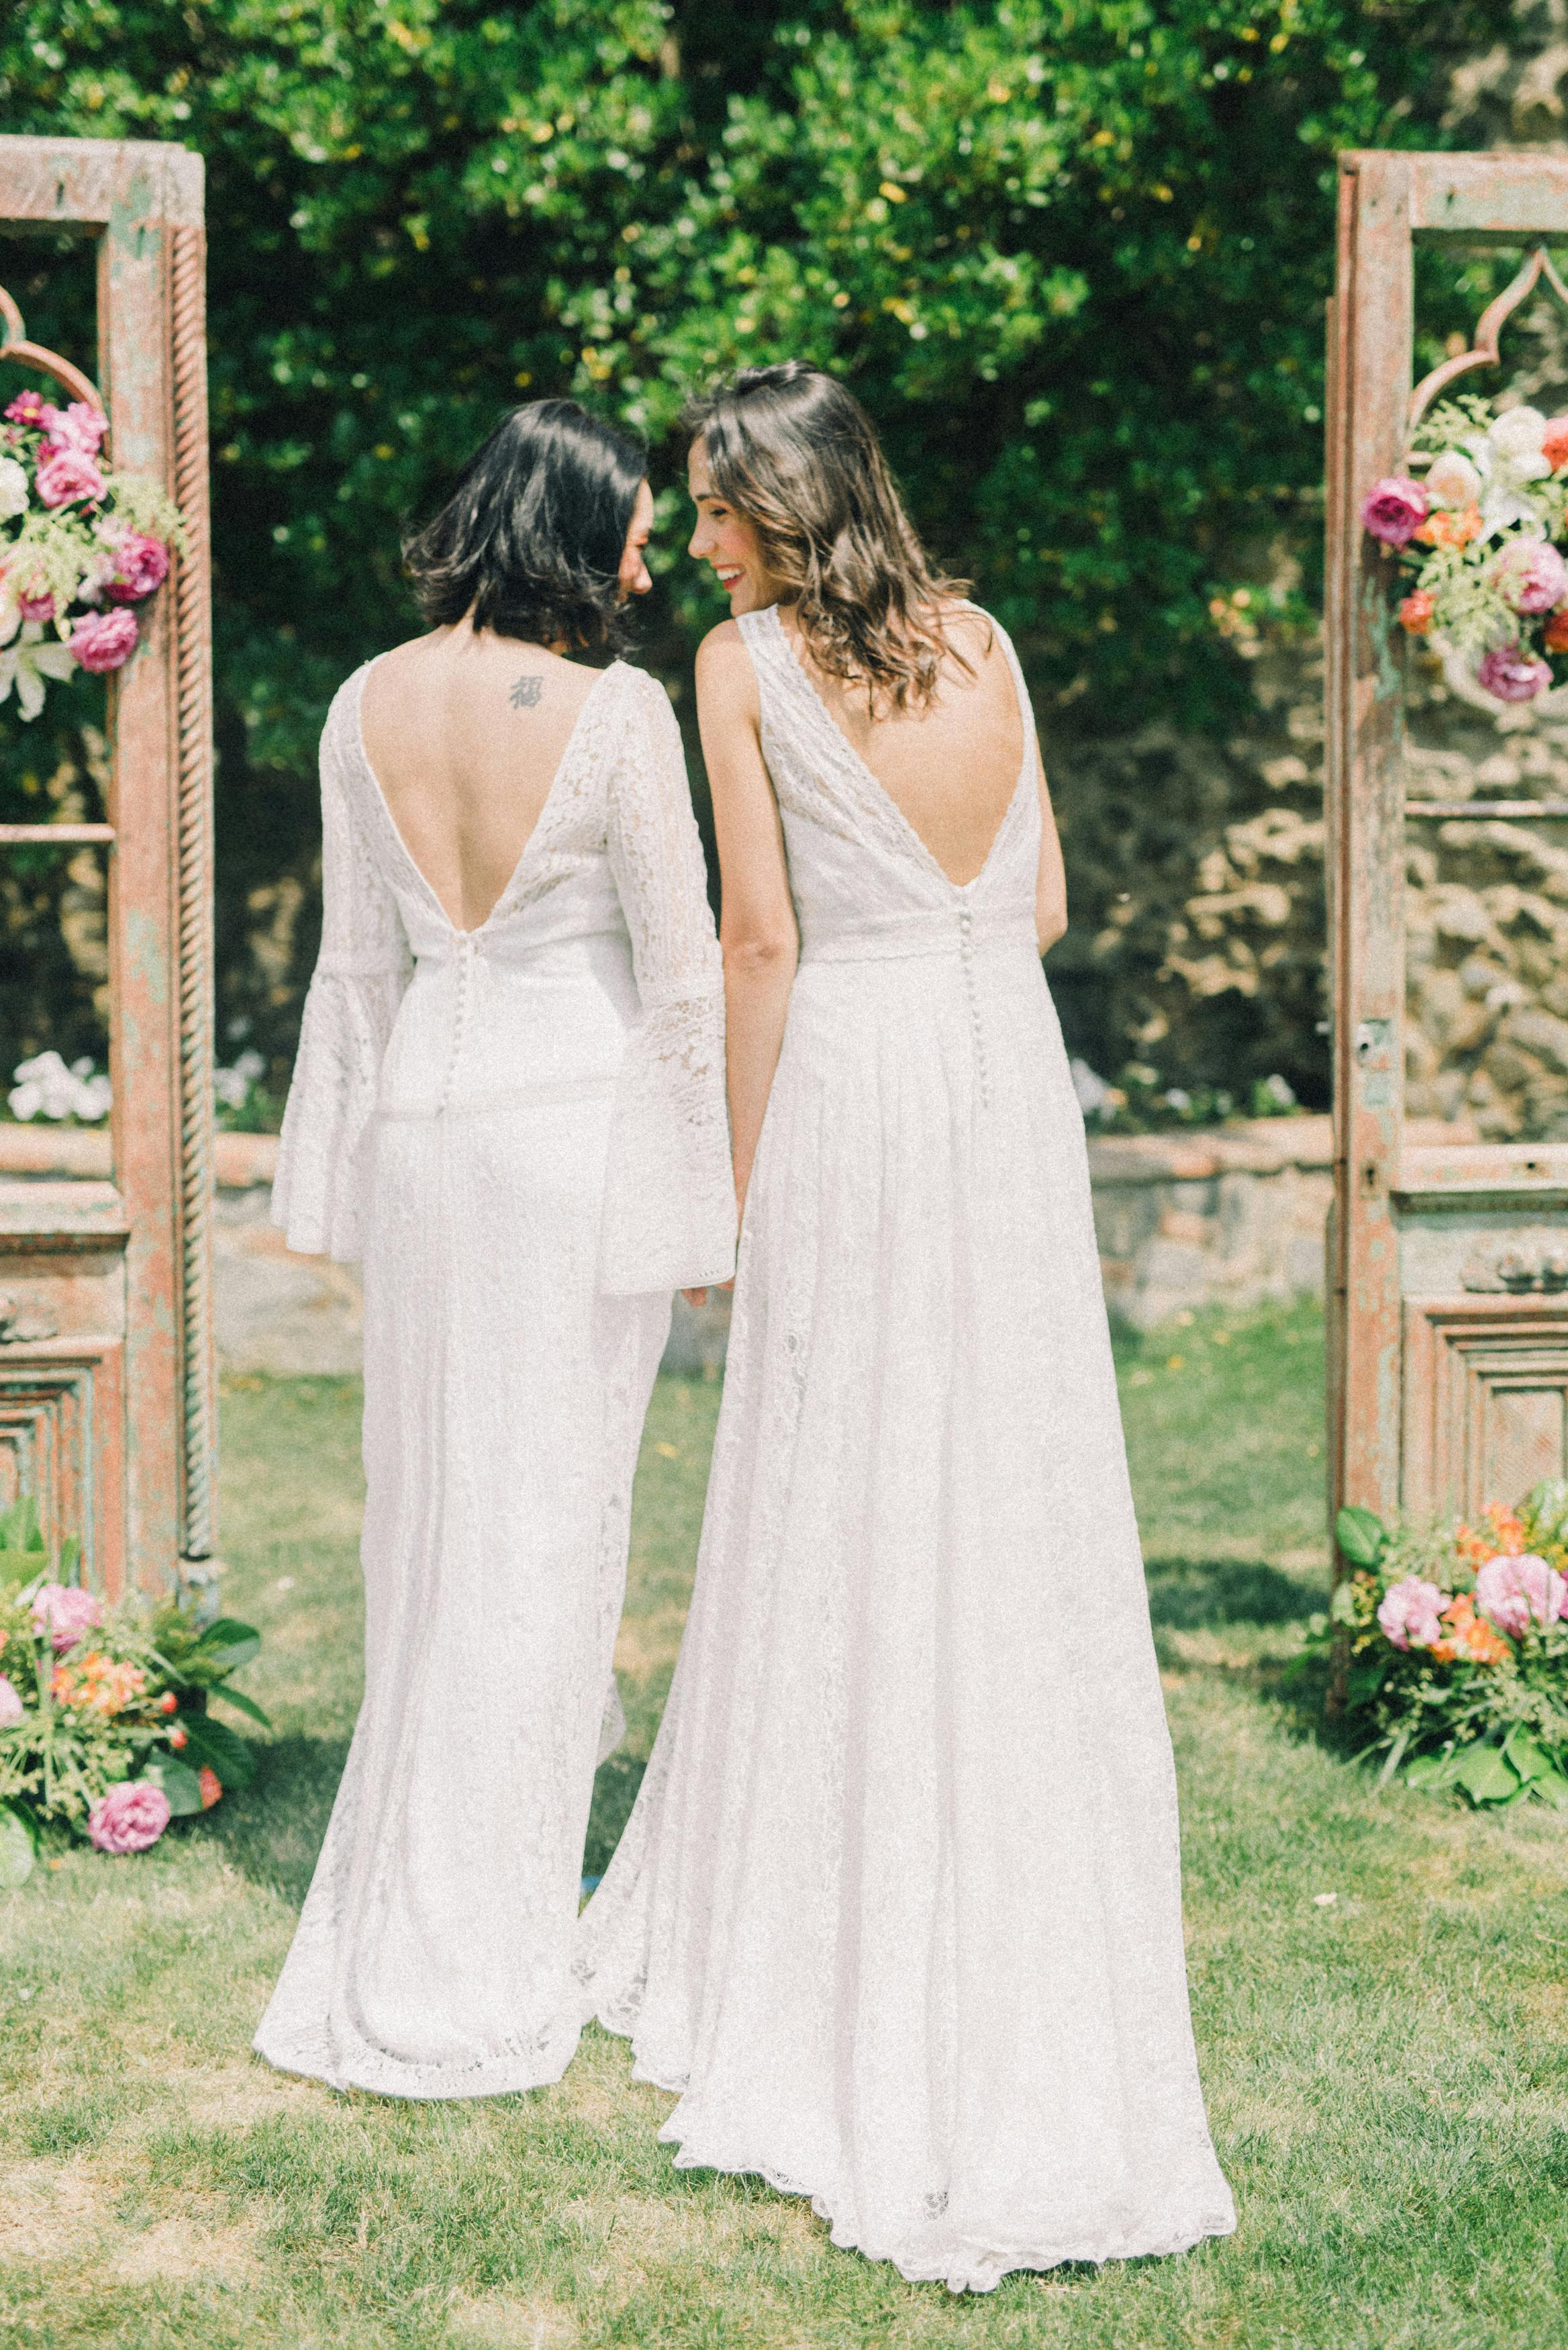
[[467, 732]]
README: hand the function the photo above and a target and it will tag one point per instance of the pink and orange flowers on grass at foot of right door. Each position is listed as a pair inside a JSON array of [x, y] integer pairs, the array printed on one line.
[[1459, 1646]]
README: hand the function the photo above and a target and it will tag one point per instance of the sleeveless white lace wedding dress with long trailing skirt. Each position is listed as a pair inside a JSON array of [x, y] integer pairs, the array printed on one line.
[[899, 1905]]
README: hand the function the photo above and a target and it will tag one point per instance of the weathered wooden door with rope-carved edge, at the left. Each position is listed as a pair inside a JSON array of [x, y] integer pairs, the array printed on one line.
[[107, 1385]]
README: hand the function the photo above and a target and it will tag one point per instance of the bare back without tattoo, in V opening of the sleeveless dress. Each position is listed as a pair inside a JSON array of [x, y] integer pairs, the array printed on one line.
[[951, 770]]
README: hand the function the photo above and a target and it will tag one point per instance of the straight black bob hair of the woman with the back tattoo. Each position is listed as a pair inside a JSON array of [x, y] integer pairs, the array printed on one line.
[[532, 537]]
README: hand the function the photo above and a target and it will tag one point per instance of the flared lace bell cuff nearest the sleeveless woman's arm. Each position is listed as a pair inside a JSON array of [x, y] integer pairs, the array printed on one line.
[[669, 1190]]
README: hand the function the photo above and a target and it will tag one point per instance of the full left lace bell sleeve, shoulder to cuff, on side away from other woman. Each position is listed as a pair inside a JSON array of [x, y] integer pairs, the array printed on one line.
[[354, 1000]]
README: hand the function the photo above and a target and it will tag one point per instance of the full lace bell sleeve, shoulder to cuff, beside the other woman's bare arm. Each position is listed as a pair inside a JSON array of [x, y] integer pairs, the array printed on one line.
[[671, 1197]]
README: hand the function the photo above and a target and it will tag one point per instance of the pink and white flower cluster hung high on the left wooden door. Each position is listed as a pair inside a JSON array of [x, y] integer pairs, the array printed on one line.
[[79, 546]]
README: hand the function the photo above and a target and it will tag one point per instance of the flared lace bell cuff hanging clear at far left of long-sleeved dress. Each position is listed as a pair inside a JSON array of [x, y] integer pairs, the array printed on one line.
[[321, 1155]]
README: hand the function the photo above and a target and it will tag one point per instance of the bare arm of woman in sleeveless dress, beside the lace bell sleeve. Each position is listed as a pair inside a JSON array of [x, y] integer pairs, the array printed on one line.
[[758, 918]]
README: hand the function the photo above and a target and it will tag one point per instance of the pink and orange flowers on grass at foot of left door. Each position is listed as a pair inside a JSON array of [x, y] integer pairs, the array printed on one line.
[[105, 1726]]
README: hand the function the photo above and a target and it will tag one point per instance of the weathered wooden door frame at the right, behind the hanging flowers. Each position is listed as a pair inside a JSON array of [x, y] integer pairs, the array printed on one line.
[[1447, 1265]]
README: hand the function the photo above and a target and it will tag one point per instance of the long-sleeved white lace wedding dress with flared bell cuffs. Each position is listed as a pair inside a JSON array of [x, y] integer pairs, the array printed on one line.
[[523, 1134]]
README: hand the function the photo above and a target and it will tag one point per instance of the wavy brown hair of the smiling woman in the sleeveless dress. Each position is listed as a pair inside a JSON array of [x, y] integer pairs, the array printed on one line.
[[798, 457]]
